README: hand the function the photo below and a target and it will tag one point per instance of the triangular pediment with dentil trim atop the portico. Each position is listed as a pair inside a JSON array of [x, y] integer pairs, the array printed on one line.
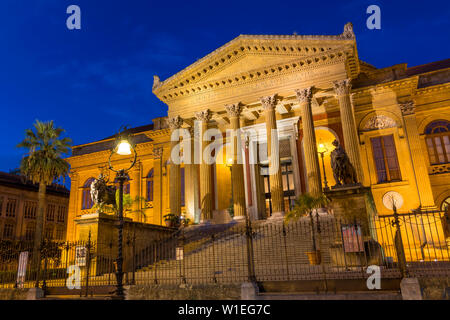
[[254, 54]]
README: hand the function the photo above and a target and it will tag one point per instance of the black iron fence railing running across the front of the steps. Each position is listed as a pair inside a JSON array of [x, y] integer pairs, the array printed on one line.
[[324, 247]]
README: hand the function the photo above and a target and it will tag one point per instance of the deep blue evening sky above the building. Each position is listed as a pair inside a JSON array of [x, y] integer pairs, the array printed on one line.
[[92, 81]]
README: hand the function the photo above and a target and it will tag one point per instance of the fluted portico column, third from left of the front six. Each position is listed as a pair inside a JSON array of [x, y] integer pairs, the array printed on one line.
[[237, 168]]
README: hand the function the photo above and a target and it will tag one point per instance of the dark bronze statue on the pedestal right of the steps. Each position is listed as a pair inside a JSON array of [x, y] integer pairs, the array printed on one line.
[[343, 171]]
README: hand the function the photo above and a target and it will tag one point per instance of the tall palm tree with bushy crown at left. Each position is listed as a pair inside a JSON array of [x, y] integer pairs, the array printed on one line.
[[43, 165]]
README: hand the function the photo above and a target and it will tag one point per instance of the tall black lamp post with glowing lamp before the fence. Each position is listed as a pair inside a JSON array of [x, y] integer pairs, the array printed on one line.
[[122, 146]]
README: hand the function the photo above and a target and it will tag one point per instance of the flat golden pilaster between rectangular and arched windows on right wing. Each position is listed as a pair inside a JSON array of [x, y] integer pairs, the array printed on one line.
[[417, 155]]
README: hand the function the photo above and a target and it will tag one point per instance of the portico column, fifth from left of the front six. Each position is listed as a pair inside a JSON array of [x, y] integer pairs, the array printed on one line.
[[309, 141]]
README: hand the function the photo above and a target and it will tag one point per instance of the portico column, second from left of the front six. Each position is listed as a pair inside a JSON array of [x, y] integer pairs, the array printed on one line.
[[205, 170]]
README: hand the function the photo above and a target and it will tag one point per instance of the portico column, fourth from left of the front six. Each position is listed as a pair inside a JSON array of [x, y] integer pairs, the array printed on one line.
[[276, 183]]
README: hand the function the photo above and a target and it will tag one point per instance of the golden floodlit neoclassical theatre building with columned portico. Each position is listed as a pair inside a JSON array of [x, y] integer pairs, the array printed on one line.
[[394, 124]]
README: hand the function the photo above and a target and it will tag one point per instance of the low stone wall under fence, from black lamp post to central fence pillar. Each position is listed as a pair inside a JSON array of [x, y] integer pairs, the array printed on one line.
[[187, 292]]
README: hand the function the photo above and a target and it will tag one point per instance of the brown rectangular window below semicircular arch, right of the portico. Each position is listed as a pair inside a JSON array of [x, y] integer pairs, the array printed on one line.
[[385, 158]]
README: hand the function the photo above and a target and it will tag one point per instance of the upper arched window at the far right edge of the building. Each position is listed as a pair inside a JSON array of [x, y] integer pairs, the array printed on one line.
[[438, 141]]
